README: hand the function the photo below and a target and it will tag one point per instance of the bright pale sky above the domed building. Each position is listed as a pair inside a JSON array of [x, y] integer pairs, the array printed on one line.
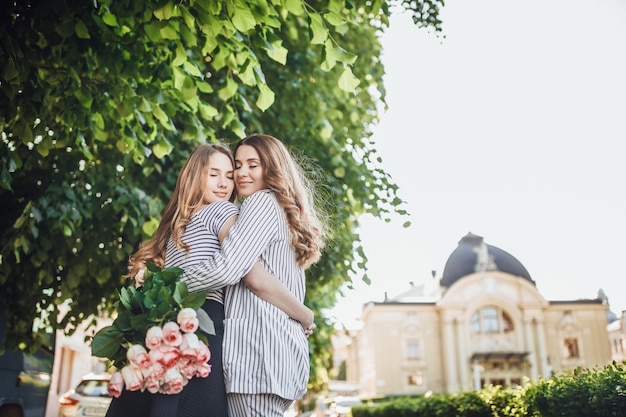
[[513, 128]]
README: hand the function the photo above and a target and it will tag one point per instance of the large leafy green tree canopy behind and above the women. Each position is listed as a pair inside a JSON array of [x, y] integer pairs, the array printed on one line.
[[102, 101]]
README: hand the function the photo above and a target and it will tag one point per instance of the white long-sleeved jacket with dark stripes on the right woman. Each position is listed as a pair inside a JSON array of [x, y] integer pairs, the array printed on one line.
[[265, 351]]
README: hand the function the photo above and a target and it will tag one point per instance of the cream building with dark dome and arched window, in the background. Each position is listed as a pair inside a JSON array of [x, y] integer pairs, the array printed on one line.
[[484, 322]]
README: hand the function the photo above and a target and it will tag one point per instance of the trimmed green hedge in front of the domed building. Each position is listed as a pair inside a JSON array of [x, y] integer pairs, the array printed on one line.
[[578, 393]]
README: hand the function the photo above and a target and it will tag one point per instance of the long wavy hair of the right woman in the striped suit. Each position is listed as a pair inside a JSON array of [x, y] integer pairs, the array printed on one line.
[[294, 192]]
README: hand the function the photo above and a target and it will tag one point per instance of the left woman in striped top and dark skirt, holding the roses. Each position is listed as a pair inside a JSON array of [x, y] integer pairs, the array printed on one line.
[[194, 223]]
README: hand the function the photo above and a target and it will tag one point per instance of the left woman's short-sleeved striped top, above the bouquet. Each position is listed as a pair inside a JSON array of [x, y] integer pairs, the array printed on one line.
[[201, 234]]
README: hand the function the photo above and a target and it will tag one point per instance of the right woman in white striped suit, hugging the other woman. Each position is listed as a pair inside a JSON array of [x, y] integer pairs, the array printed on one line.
[[266, 355]]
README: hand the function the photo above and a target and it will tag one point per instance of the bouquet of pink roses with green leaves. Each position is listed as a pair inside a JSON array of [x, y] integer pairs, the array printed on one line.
[[154, 341]]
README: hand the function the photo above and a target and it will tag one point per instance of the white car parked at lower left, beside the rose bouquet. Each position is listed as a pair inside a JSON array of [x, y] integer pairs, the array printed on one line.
[[89, 398]]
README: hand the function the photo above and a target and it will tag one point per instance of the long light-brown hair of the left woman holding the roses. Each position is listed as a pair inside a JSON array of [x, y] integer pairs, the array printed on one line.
[[188, 197]]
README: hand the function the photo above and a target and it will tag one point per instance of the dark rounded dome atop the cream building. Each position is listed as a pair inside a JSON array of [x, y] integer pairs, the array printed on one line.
[[474, 255]]
